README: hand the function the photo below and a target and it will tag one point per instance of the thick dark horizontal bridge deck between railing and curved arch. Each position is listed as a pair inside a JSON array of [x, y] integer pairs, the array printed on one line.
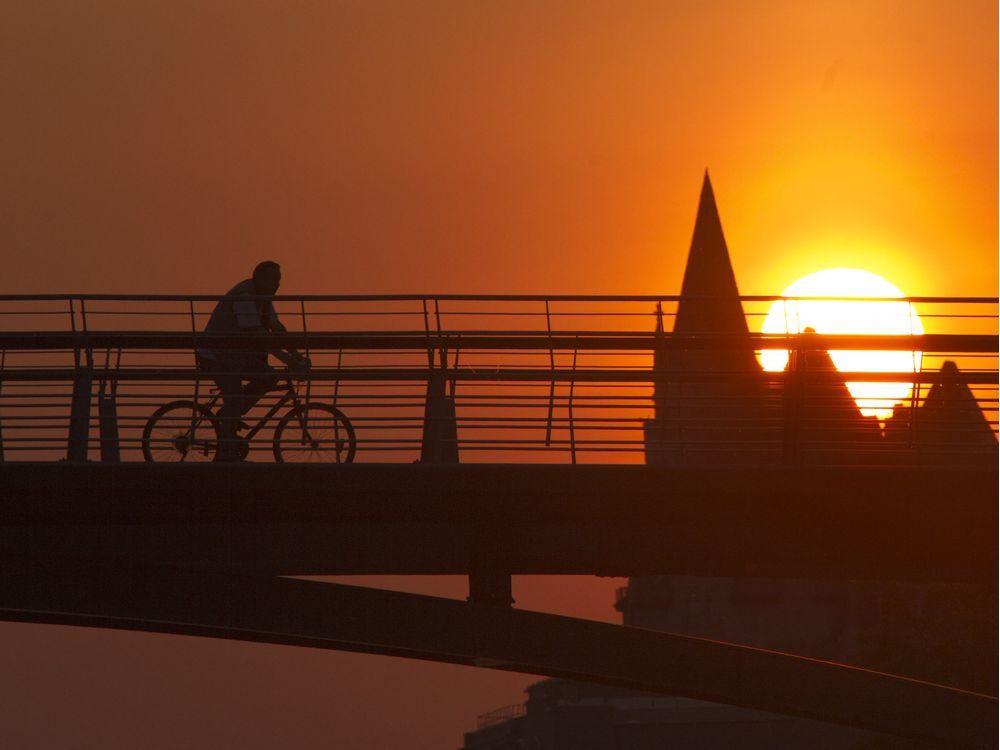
[[902, 523]]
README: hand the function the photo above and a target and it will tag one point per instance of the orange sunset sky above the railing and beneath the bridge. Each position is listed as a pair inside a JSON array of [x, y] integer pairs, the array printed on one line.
[[168, 145]]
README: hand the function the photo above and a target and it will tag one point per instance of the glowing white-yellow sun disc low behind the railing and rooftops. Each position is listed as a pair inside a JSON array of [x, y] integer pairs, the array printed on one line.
[[850, 317]]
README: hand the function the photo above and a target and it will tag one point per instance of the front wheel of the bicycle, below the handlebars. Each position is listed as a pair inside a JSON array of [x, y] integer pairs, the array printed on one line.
[[314, 433]]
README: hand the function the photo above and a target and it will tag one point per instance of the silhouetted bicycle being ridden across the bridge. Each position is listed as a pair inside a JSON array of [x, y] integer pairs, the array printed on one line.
[[188, 432]]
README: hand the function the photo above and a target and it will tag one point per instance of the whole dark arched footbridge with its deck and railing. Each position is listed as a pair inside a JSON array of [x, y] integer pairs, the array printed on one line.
[[493, 436]]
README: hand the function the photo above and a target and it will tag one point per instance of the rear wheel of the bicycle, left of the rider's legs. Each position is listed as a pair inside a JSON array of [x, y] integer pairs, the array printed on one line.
[[180, 432]]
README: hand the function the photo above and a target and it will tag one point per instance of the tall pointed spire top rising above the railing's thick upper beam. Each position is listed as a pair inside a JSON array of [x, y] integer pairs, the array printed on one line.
[[709, 273]]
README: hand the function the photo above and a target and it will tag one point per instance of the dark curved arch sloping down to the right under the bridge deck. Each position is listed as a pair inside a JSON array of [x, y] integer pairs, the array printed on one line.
[[295, 612]]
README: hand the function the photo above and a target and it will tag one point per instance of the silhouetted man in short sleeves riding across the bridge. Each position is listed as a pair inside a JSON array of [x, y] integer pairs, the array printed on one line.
[[246, 308]]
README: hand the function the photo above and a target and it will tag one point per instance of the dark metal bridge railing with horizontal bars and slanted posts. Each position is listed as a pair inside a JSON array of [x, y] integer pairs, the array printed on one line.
[[514, 379]]
